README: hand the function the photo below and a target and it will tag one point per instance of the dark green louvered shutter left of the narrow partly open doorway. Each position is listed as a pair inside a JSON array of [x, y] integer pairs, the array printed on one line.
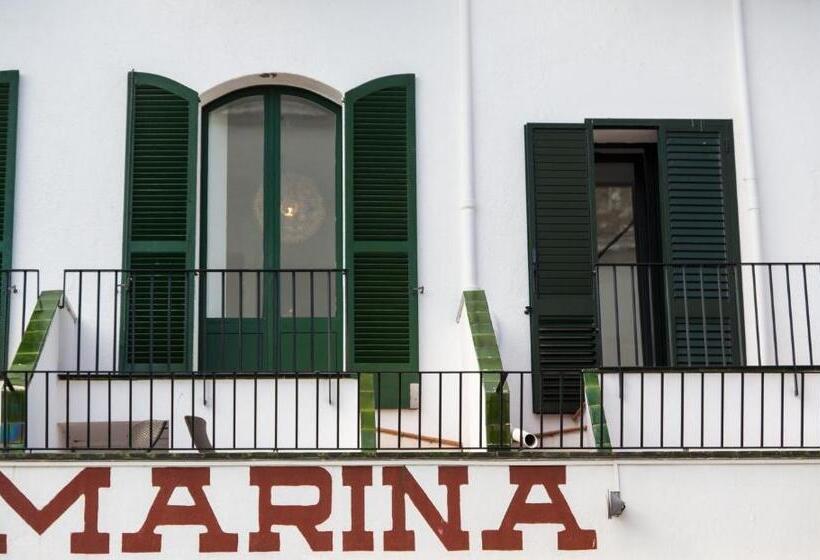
[[561, 242]]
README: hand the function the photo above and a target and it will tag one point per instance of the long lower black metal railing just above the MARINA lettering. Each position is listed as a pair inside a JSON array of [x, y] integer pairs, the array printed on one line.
[[646, 409]]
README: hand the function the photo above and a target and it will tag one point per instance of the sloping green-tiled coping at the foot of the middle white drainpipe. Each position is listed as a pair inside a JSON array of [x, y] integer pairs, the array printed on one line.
[[496, 395]]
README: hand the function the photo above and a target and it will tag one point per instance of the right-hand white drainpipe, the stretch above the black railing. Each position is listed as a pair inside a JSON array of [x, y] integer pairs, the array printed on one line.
[[752, 241]]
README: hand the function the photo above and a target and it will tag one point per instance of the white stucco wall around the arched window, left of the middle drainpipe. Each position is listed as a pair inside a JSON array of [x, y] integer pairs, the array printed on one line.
[[71, 143]]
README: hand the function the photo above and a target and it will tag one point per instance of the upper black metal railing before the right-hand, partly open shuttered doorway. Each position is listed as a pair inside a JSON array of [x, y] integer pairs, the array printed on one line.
[[706, 314]]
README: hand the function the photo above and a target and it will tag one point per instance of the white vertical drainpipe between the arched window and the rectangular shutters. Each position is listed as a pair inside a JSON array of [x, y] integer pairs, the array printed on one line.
[[469, 259]]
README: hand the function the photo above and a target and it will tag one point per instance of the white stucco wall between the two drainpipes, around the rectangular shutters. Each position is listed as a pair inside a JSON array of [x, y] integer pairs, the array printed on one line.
[[577, 61]]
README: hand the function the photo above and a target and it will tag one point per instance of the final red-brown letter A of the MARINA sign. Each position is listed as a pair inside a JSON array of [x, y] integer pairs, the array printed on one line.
[[521, 511]]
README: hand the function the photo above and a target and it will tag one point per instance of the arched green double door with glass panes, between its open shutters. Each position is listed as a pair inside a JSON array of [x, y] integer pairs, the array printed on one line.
[[271, 247]]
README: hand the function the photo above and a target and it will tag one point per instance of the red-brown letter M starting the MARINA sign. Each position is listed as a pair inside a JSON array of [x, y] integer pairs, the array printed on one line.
[[86, 484]]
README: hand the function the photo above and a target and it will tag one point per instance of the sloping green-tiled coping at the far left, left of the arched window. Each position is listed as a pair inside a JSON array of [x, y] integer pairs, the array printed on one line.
[[28, 355]]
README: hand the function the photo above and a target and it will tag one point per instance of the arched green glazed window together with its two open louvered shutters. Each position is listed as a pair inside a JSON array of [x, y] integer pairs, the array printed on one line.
[[273, 290]]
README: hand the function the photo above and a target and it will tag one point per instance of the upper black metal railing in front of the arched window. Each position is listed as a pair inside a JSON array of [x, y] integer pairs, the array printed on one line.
[[225, 320]]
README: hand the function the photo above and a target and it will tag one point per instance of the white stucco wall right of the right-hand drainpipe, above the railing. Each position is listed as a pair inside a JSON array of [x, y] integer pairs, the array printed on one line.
[[786, 120]]
